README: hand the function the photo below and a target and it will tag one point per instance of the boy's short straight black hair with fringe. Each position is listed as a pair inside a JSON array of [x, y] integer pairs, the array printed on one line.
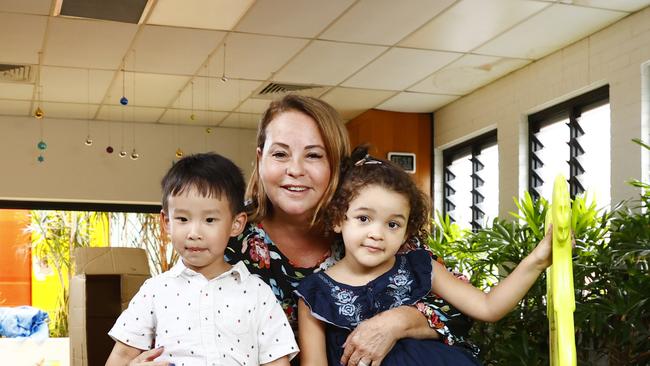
[[211, 174]]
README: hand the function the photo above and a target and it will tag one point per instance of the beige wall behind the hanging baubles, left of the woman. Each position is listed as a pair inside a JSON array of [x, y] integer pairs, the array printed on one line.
[[75, 172]]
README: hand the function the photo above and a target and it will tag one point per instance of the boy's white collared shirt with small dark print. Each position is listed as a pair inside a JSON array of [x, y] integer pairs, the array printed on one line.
[[233, 319]]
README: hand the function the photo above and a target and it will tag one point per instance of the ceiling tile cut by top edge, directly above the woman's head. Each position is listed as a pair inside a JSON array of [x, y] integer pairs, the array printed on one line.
[[308, 17]]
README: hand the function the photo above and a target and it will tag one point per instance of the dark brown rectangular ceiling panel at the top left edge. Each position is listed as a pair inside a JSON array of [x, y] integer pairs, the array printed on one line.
[[126, 11]]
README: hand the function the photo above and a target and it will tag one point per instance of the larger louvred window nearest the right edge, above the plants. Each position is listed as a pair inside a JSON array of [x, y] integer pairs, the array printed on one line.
[[573, 139]]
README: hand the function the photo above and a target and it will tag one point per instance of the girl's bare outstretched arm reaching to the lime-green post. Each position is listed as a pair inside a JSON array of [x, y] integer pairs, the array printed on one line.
[[502, 298]]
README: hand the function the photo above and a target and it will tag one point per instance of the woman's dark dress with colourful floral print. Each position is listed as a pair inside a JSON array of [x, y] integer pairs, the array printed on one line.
[[263, 258]]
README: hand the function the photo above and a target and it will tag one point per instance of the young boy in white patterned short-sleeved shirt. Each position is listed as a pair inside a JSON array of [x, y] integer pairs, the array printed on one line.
[[203, 311]]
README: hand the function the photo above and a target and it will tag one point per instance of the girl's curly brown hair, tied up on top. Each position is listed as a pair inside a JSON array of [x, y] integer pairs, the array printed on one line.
[[361, 170]]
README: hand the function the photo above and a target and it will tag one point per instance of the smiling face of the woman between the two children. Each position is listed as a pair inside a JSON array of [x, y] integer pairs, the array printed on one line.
[[293, 165]]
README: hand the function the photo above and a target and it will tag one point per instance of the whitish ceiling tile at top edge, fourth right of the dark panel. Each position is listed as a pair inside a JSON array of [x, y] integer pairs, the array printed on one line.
[[469, 23]]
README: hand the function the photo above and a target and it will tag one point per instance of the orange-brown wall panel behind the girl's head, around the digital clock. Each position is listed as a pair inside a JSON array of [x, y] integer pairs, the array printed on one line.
[[398, 132]]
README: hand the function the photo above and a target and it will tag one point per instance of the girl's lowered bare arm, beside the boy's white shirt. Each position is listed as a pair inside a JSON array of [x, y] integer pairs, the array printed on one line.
[[311, 337]]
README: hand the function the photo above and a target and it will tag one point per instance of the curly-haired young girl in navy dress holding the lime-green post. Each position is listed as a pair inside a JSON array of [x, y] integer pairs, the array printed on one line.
[[376, 209]]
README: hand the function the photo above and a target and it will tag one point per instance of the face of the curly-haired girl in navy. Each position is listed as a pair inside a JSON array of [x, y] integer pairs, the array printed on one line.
[[374, 227]]
